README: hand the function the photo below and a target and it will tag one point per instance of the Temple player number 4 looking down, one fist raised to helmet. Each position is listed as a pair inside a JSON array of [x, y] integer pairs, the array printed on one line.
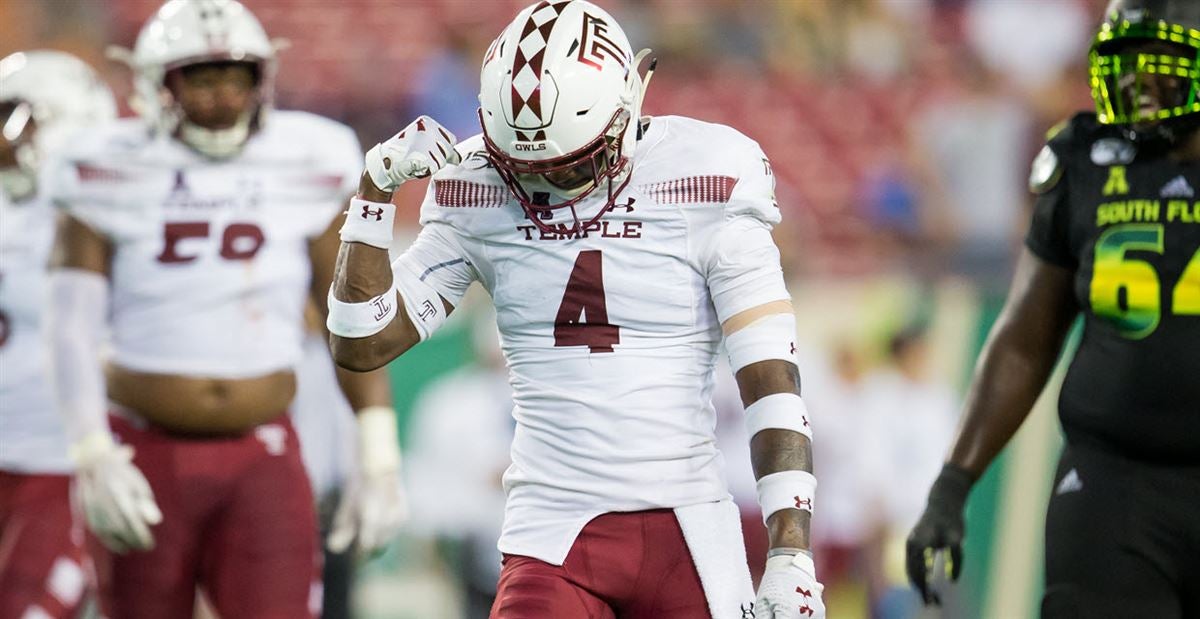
[[620, 254]]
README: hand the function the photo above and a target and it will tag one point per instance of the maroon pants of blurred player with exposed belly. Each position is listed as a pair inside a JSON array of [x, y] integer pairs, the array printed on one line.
[[238, 520]]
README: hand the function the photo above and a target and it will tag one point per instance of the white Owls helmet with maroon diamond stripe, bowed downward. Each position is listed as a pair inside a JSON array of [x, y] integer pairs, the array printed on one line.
[[560, 103]]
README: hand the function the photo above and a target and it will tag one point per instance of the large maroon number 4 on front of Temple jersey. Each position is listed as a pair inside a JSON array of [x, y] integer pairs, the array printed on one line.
[[584, 315]]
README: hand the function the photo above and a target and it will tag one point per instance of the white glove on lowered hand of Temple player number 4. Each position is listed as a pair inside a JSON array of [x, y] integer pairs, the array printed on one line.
[[790, 590]]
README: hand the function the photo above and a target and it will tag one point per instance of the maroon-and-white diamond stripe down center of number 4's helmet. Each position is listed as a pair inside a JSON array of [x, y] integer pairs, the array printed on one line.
[[526, 94]]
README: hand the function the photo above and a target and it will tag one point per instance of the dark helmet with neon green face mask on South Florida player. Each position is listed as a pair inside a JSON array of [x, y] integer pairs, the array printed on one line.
[[1145, 68]]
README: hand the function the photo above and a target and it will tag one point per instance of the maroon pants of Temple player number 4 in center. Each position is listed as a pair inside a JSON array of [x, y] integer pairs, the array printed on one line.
[[633, 566]]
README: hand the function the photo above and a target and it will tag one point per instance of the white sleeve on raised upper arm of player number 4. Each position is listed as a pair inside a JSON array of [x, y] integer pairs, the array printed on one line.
[[435, 263]]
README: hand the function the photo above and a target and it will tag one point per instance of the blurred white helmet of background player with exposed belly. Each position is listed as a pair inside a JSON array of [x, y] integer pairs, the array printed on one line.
[[187, 33]]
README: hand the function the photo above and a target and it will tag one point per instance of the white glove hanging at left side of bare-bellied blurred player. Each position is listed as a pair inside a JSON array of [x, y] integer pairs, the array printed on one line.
[[113, 494]]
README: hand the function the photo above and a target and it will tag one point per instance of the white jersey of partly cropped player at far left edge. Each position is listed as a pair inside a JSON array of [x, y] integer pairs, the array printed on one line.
[[32, 435]]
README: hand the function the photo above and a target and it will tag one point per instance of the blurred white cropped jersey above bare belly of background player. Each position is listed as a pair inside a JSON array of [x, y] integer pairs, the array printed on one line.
[[211, 268]]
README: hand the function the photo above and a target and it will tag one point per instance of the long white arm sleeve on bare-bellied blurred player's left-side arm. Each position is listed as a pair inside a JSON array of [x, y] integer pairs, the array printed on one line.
[[79, 314]]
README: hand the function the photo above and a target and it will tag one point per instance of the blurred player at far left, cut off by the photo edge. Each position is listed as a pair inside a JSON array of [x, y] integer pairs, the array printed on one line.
[[45, 97]]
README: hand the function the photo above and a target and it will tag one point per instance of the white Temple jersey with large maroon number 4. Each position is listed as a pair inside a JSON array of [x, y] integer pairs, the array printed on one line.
[[611, 336]]
